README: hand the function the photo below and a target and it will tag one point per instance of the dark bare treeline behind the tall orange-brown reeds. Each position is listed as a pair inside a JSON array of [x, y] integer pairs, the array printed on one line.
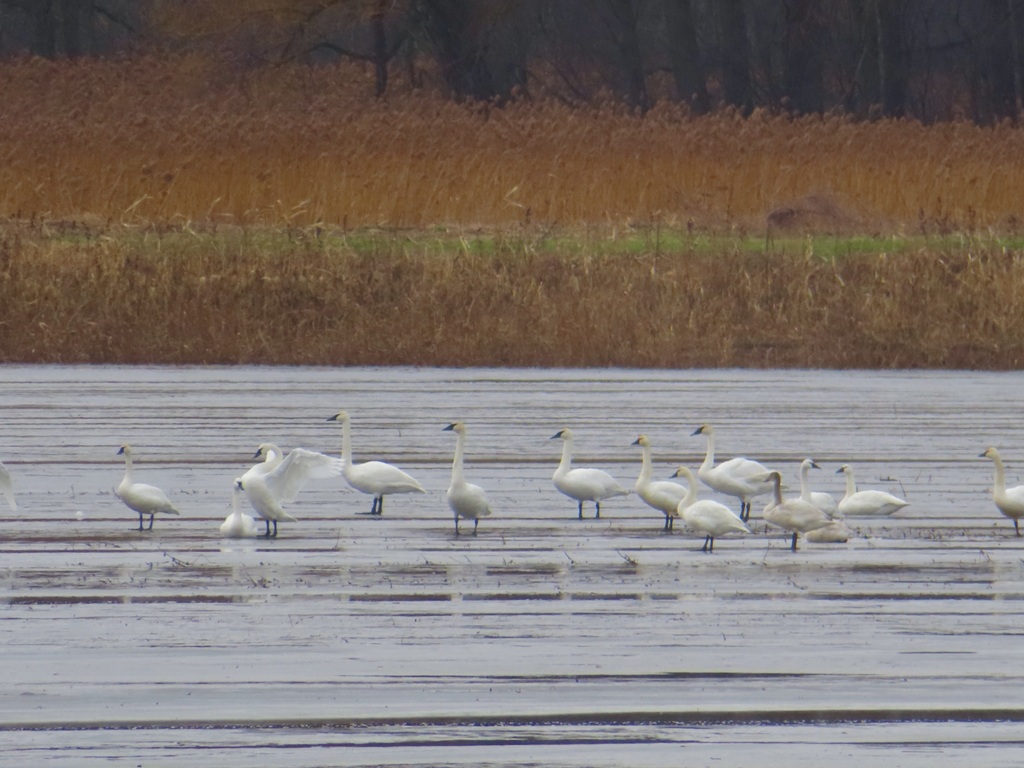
[[929, 60]]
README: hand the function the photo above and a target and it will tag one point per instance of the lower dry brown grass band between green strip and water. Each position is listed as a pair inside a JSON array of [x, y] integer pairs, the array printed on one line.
[[308, 296]]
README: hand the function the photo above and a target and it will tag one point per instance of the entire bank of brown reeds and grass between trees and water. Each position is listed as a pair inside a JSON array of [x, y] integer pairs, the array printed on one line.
[[165, 212]]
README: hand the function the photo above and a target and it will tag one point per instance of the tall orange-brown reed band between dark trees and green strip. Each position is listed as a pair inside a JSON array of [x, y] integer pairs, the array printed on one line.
[[190, 140]]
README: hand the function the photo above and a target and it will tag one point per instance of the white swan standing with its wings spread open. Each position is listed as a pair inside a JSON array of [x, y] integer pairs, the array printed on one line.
[[278, 481]]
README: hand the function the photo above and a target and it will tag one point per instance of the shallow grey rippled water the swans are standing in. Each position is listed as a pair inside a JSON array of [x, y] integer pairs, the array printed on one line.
[[545, 641]]
